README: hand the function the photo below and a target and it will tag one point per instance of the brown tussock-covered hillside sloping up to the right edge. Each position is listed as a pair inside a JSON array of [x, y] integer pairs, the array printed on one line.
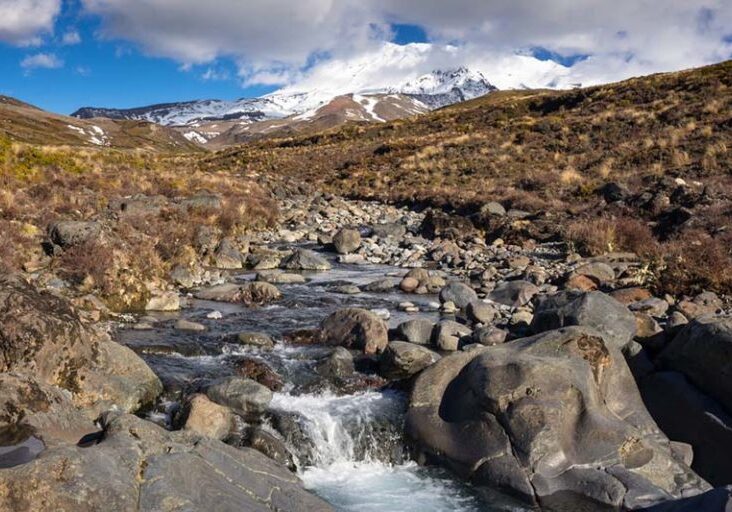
[[665, 137]]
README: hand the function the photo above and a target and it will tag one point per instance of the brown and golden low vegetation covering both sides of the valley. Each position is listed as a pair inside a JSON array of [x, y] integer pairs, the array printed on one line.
[[643, 165]]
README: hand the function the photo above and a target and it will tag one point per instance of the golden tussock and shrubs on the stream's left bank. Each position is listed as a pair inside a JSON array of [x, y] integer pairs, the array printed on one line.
[[41, 185]]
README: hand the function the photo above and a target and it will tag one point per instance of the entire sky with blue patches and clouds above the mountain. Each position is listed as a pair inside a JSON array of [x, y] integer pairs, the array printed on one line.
[[64, 54]]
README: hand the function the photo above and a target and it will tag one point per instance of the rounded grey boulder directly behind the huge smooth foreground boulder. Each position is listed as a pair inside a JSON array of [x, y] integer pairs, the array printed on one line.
[[594, 309]]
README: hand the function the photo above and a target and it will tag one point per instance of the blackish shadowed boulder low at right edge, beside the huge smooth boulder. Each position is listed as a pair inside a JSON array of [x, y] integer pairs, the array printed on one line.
[[685, 414]]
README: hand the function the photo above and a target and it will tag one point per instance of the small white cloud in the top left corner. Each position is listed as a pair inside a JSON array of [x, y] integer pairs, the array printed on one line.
[[22, 22]]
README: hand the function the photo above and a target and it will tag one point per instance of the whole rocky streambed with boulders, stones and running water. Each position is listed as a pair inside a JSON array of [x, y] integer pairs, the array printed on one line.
[[365, 357]]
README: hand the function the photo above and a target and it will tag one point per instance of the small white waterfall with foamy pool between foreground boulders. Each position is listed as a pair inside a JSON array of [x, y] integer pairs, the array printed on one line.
[[355, 456]]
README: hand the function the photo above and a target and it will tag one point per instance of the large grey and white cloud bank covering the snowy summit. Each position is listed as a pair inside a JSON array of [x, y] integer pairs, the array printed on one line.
[[311, 41]]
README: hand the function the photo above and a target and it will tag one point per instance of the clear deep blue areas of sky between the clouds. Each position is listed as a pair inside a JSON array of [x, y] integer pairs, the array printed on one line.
[[117, 74]]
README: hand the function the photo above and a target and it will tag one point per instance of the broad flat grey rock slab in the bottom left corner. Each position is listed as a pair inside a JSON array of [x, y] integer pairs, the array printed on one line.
[[138, 466]]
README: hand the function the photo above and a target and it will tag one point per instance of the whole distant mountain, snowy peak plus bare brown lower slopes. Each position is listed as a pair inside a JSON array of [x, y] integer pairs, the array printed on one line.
[[293, 110]]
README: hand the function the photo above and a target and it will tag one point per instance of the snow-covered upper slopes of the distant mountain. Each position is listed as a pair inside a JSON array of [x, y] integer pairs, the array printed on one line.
[[436, 89]]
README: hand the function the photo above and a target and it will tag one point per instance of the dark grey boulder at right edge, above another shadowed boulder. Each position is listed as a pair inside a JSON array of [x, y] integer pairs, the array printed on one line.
[[703, 352]]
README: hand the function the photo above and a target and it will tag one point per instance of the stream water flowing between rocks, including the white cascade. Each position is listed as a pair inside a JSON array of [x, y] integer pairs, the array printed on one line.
[[353, 456]]
